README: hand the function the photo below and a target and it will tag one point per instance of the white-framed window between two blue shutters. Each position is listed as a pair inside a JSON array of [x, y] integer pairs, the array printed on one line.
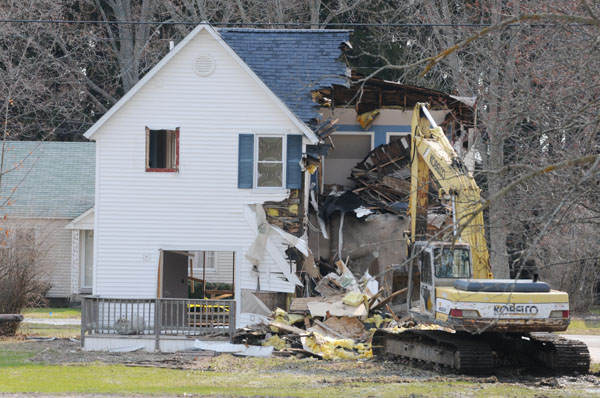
[[269, 167]]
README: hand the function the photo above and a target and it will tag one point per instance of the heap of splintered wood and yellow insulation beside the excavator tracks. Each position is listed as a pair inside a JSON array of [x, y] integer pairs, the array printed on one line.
[[339, 324]]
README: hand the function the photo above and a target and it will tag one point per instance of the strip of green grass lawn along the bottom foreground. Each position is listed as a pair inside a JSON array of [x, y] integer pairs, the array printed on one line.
[[119, 379]]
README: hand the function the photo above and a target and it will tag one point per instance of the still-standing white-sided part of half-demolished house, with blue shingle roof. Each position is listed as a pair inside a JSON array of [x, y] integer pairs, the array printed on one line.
[[186, 159]]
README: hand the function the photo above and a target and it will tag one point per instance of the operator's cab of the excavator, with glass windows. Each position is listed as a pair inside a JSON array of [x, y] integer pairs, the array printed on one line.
[[437, 264]]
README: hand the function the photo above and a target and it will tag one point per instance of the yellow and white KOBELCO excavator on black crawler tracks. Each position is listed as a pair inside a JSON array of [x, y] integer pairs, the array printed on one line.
[[484, 320]]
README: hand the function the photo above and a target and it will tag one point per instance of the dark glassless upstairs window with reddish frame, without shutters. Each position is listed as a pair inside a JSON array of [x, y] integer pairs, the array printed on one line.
[[162, 150]]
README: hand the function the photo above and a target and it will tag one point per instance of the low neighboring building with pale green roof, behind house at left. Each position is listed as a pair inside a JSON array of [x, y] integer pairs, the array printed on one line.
[[47, 190]]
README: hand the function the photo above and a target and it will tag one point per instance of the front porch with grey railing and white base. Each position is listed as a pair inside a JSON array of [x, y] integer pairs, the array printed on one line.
[[165, 325]]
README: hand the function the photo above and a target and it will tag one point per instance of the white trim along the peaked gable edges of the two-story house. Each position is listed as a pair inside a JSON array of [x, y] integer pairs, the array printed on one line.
[[171, 54]]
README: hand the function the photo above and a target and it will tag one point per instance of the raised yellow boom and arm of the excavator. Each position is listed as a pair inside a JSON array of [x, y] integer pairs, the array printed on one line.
[[432, 154]]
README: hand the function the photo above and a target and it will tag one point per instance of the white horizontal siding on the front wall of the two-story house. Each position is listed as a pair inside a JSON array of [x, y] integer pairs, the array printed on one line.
[[198, 207]]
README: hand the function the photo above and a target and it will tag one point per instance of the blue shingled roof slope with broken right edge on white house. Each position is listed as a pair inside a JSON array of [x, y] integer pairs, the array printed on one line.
[[292, 62]]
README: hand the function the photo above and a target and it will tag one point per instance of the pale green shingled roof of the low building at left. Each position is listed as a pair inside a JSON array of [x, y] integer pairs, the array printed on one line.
[[51, 179]]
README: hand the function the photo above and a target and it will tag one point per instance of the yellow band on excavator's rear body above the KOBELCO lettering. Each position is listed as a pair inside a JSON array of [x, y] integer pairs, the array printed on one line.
[[452, 294]]
